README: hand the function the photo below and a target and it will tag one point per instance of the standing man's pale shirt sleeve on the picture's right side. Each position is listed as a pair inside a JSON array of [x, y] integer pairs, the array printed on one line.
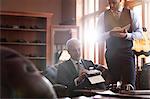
[[137, 28]]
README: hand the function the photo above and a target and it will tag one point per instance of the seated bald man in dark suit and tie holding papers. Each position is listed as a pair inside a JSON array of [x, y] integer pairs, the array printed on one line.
[[73, 72]]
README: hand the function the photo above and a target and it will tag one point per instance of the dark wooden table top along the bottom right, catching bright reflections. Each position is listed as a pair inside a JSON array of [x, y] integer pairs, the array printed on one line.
[[136, 94]]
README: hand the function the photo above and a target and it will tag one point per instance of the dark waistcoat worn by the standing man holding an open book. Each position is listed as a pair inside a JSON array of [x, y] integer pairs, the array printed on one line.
[[115, 43]]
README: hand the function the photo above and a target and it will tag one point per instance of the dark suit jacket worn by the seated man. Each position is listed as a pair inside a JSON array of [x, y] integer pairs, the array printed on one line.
[[67, 73]]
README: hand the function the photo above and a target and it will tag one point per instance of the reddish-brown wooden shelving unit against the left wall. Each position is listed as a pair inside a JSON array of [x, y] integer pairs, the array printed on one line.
[[30, 34]]
